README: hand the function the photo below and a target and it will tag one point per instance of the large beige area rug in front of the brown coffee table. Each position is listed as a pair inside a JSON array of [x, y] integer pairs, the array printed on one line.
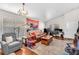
[[56, 47]]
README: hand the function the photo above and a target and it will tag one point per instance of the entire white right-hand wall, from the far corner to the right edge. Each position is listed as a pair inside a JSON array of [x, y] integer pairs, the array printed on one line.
[[68, 22]]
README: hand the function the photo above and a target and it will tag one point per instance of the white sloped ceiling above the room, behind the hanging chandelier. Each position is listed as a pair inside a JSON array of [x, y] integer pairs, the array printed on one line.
[[42, 11]]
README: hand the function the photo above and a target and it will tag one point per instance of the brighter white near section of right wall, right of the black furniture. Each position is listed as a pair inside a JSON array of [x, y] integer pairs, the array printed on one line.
[[71, 23]]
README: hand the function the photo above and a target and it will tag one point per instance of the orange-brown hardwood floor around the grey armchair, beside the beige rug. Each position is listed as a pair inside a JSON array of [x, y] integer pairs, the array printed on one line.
[[23, 51]]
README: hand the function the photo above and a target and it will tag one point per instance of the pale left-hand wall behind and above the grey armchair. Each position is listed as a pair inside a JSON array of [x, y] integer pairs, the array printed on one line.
[[8, 21]]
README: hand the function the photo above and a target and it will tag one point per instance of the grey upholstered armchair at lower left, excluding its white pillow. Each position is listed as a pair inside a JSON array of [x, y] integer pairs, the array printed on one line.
[[8, 48]]
